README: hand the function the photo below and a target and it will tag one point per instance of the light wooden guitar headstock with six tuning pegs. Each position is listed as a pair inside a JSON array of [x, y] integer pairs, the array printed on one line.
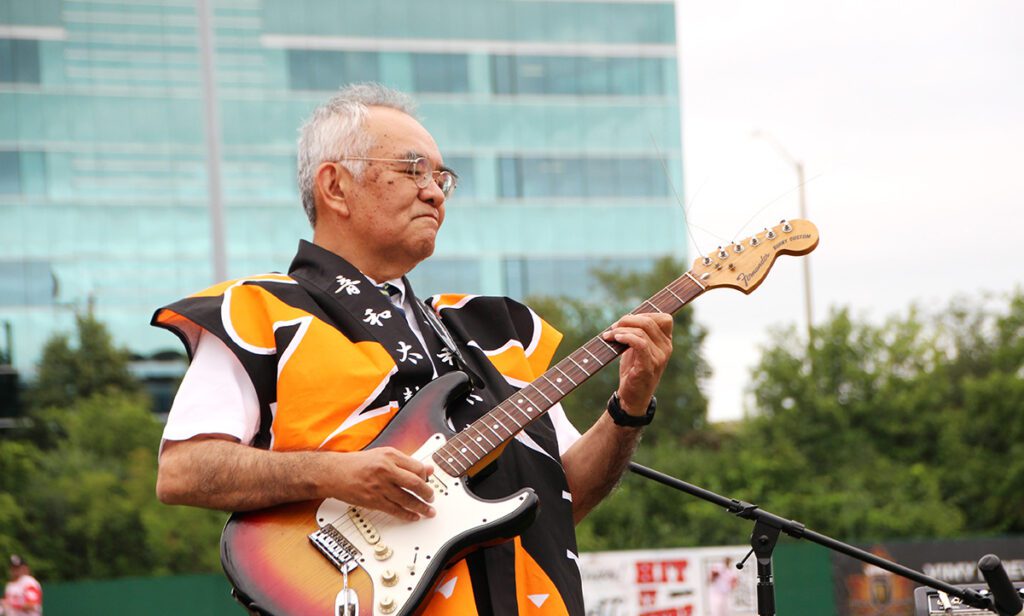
[[745, 265]]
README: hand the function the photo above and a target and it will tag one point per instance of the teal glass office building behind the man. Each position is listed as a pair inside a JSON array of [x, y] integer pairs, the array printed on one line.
[[562, 118]]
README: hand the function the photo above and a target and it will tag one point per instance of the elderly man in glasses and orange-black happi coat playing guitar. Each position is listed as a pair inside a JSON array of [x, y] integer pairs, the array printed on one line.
[[293, 376]]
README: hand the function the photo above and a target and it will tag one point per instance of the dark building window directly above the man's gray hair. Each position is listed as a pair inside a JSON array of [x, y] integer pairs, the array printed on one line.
[[318, 70]]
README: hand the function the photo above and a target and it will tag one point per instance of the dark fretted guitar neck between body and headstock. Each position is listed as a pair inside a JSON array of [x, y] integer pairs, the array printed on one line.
[[489, 434]]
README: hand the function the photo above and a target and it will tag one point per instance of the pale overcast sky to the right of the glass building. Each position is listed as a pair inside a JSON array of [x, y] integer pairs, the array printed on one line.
[[910, 120]]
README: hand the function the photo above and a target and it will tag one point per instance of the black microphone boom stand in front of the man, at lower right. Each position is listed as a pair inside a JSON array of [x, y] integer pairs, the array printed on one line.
[[767, 527]]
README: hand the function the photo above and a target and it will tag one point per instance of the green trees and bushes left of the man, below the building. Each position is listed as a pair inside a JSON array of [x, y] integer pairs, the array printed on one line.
[[77, 491]]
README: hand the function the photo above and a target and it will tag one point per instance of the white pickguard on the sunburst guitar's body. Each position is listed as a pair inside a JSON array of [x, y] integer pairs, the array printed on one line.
[[415, 545]]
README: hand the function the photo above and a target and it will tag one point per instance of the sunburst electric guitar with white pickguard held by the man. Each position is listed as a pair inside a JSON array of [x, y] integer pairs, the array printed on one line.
[[326, 558]]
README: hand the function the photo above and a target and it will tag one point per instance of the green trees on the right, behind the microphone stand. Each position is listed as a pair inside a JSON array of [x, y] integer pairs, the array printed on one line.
[[907, 429]]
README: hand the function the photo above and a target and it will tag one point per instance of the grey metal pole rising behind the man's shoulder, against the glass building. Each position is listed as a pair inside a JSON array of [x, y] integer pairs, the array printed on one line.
[[204, 17]]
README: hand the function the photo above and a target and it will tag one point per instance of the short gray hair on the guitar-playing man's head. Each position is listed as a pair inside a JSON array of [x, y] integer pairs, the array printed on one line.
[[334, 131]]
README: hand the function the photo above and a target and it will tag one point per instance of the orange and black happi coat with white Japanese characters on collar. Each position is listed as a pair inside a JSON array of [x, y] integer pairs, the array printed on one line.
[[333, 362]]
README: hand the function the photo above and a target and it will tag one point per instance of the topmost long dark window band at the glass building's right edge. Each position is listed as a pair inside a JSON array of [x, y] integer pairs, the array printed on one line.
[[580, 76]]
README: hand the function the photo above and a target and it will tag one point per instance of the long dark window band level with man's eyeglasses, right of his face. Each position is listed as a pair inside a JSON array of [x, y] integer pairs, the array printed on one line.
[[595, 179]]
